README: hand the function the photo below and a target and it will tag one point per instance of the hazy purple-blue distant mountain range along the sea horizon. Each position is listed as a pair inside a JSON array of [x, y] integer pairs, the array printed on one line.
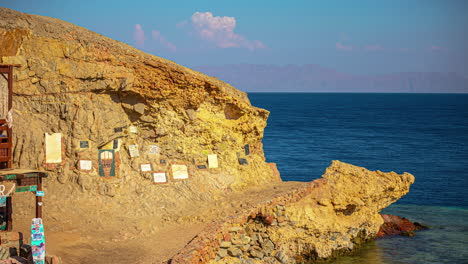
[[315, 78]]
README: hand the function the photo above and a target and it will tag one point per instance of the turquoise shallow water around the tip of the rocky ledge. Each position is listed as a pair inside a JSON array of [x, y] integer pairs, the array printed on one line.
[[444, 242]]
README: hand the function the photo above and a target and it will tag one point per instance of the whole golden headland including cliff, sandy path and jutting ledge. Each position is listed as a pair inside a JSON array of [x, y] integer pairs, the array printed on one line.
[[101, 94]]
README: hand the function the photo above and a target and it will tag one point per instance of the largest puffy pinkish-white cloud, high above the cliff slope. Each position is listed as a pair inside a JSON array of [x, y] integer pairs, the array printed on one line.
[[220, 31]]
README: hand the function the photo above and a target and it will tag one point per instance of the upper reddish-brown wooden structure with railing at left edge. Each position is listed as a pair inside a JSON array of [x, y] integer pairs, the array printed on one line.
[[6, 94]]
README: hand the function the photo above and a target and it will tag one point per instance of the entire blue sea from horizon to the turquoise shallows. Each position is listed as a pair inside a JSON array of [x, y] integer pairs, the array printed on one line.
[[423, 134]]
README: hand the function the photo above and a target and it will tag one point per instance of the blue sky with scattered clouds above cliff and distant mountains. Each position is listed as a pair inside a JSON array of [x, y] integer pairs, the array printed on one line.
[[357, 37]]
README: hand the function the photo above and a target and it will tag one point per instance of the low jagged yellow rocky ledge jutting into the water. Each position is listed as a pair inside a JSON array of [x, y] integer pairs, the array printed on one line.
[[329, 217]]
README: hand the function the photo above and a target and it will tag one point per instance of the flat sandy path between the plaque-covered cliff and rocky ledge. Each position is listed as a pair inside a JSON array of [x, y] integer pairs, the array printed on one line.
[[117, 245]]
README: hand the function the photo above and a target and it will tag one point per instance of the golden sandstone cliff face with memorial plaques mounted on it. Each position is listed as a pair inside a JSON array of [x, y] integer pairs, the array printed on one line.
[[86, 86]]
